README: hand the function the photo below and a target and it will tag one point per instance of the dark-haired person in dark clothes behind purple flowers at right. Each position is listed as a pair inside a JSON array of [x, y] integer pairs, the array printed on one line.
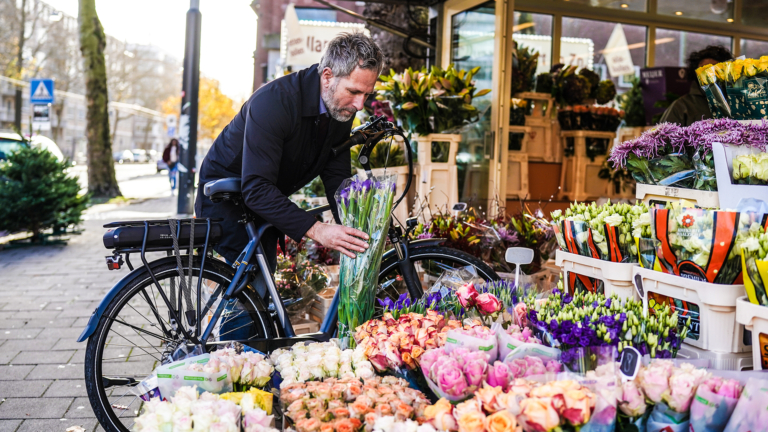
[[693, 106]]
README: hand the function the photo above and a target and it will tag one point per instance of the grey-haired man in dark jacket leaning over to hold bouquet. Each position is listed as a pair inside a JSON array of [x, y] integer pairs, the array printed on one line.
[[282, 138]]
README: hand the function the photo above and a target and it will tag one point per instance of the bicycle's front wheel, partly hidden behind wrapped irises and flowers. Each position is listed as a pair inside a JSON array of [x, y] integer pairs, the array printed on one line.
[[429, 263]]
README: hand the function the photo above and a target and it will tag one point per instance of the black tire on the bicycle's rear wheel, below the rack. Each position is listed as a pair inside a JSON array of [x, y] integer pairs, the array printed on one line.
[[214, 270]]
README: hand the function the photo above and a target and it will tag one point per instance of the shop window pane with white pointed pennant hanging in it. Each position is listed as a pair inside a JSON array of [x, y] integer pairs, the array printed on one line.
[[612, 50]]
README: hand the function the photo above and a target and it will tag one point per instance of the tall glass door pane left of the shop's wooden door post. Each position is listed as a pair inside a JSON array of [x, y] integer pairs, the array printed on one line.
[[472, 44]]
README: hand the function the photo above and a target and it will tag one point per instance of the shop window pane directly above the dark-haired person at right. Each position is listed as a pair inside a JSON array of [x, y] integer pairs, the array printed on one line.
[[673, 46]]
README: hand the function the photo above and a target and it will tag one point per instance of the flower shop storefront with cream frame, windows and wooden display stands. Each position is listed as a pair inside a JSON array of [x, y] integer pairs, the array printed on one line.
[[537, 138]]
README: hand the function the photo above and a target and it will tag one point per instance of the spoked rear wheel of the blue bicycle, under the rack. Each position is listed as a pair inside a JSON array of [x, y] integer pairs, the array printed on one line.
[[135, 334]]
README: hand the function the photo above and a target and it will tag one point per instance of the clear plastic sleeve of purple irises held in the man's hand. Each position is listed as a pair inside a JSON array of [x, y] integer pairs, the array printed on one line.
[[366, 205]]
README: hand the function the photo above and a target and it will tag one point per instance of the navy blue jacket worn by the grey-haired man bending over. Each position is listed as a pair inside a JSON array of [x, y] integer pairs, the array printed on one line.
[[272, 145]]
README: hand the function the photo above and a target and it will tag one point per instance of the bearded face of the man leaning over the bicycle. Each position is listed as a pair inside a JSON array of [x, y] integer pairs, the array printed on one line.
[[343, 97]]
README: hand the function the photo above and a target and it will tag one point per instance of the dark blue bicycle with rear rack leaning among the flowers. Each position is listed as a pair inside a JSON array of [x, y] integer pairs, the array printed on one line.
[[145, 320]]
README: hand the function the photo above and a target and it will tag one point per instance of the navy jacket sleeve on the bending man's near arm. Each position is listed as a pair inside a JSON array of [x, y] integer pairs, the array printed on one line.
[[267, 125]]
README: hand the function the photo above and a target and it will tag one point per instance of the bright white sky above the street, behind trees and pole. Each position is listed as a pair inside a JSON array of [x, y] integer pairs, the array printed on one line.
[[228, 33]]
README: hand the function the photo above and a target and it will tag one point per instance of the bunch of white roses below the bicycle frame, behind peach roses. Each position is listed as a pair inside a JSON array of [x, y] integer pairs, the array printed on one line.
[[319, 360]]
